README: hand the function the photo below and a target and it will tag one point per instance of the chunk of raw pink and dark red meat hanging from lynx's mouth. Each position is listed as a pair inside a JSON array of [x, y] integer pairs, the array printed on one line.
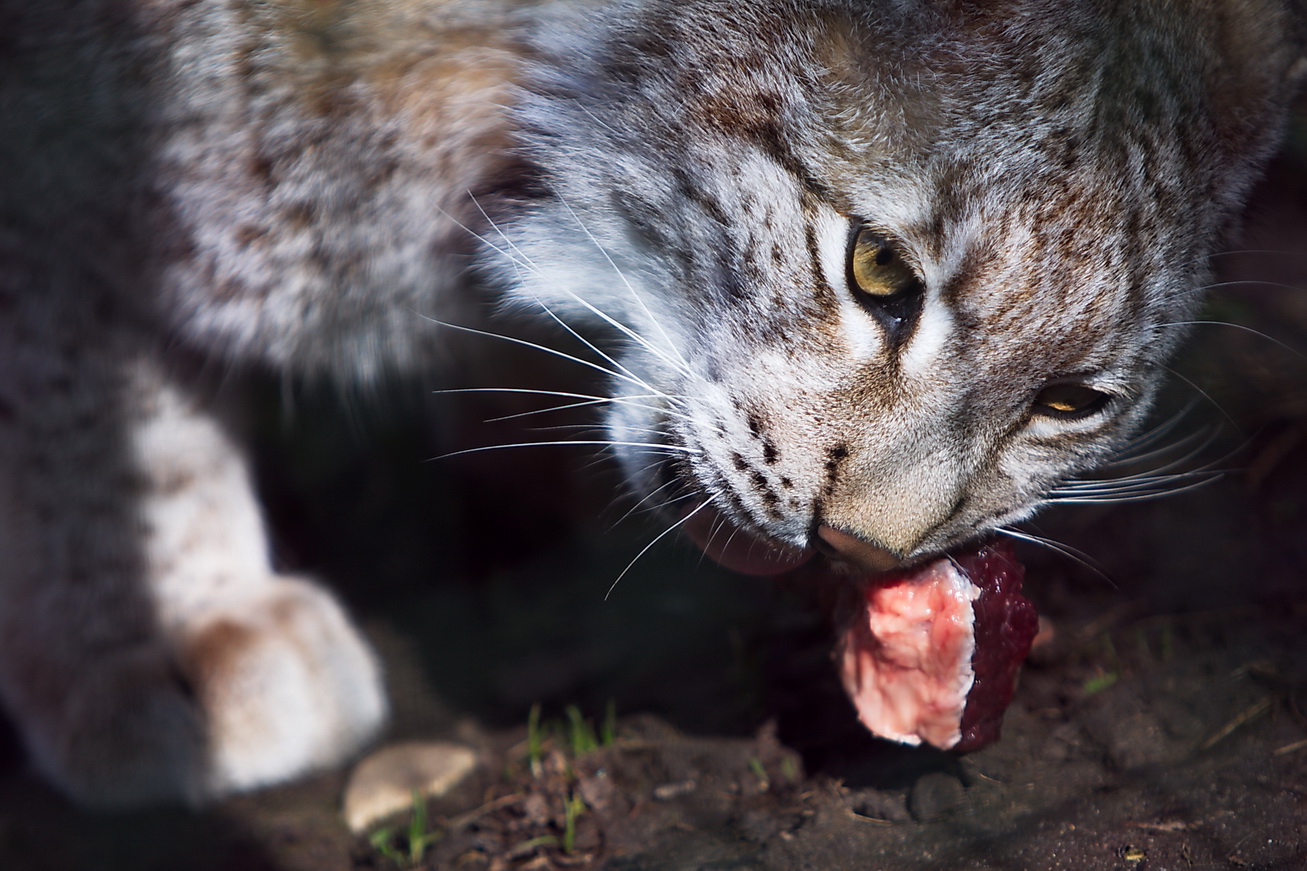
[[934, 653]]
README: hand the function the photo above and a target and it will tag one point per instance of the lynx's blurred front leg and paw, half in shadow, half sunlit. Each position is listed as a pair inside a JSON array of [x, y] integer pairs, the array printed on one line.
[[147, 649]]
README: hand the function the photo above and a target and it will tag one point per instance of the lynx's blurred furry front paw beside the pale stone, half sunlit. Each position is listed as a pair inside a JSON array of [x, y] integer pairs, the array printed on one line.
[[280, 687]]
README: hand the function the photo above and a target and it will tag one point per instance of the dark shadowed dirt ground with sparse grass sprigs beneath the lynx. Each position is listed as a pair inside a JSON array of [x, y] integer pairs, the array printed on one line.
[[1164, 728]]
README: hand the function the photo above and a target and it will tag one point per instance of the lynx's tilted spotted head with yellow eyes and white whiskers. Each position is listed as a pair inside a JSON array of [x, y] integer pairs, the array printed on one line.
[[891, 270]]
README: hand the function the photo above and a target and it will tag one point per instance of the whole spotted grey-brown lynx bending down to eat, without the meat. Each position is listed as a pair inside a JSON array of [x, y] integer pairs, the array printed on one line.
[[880, 278]]
